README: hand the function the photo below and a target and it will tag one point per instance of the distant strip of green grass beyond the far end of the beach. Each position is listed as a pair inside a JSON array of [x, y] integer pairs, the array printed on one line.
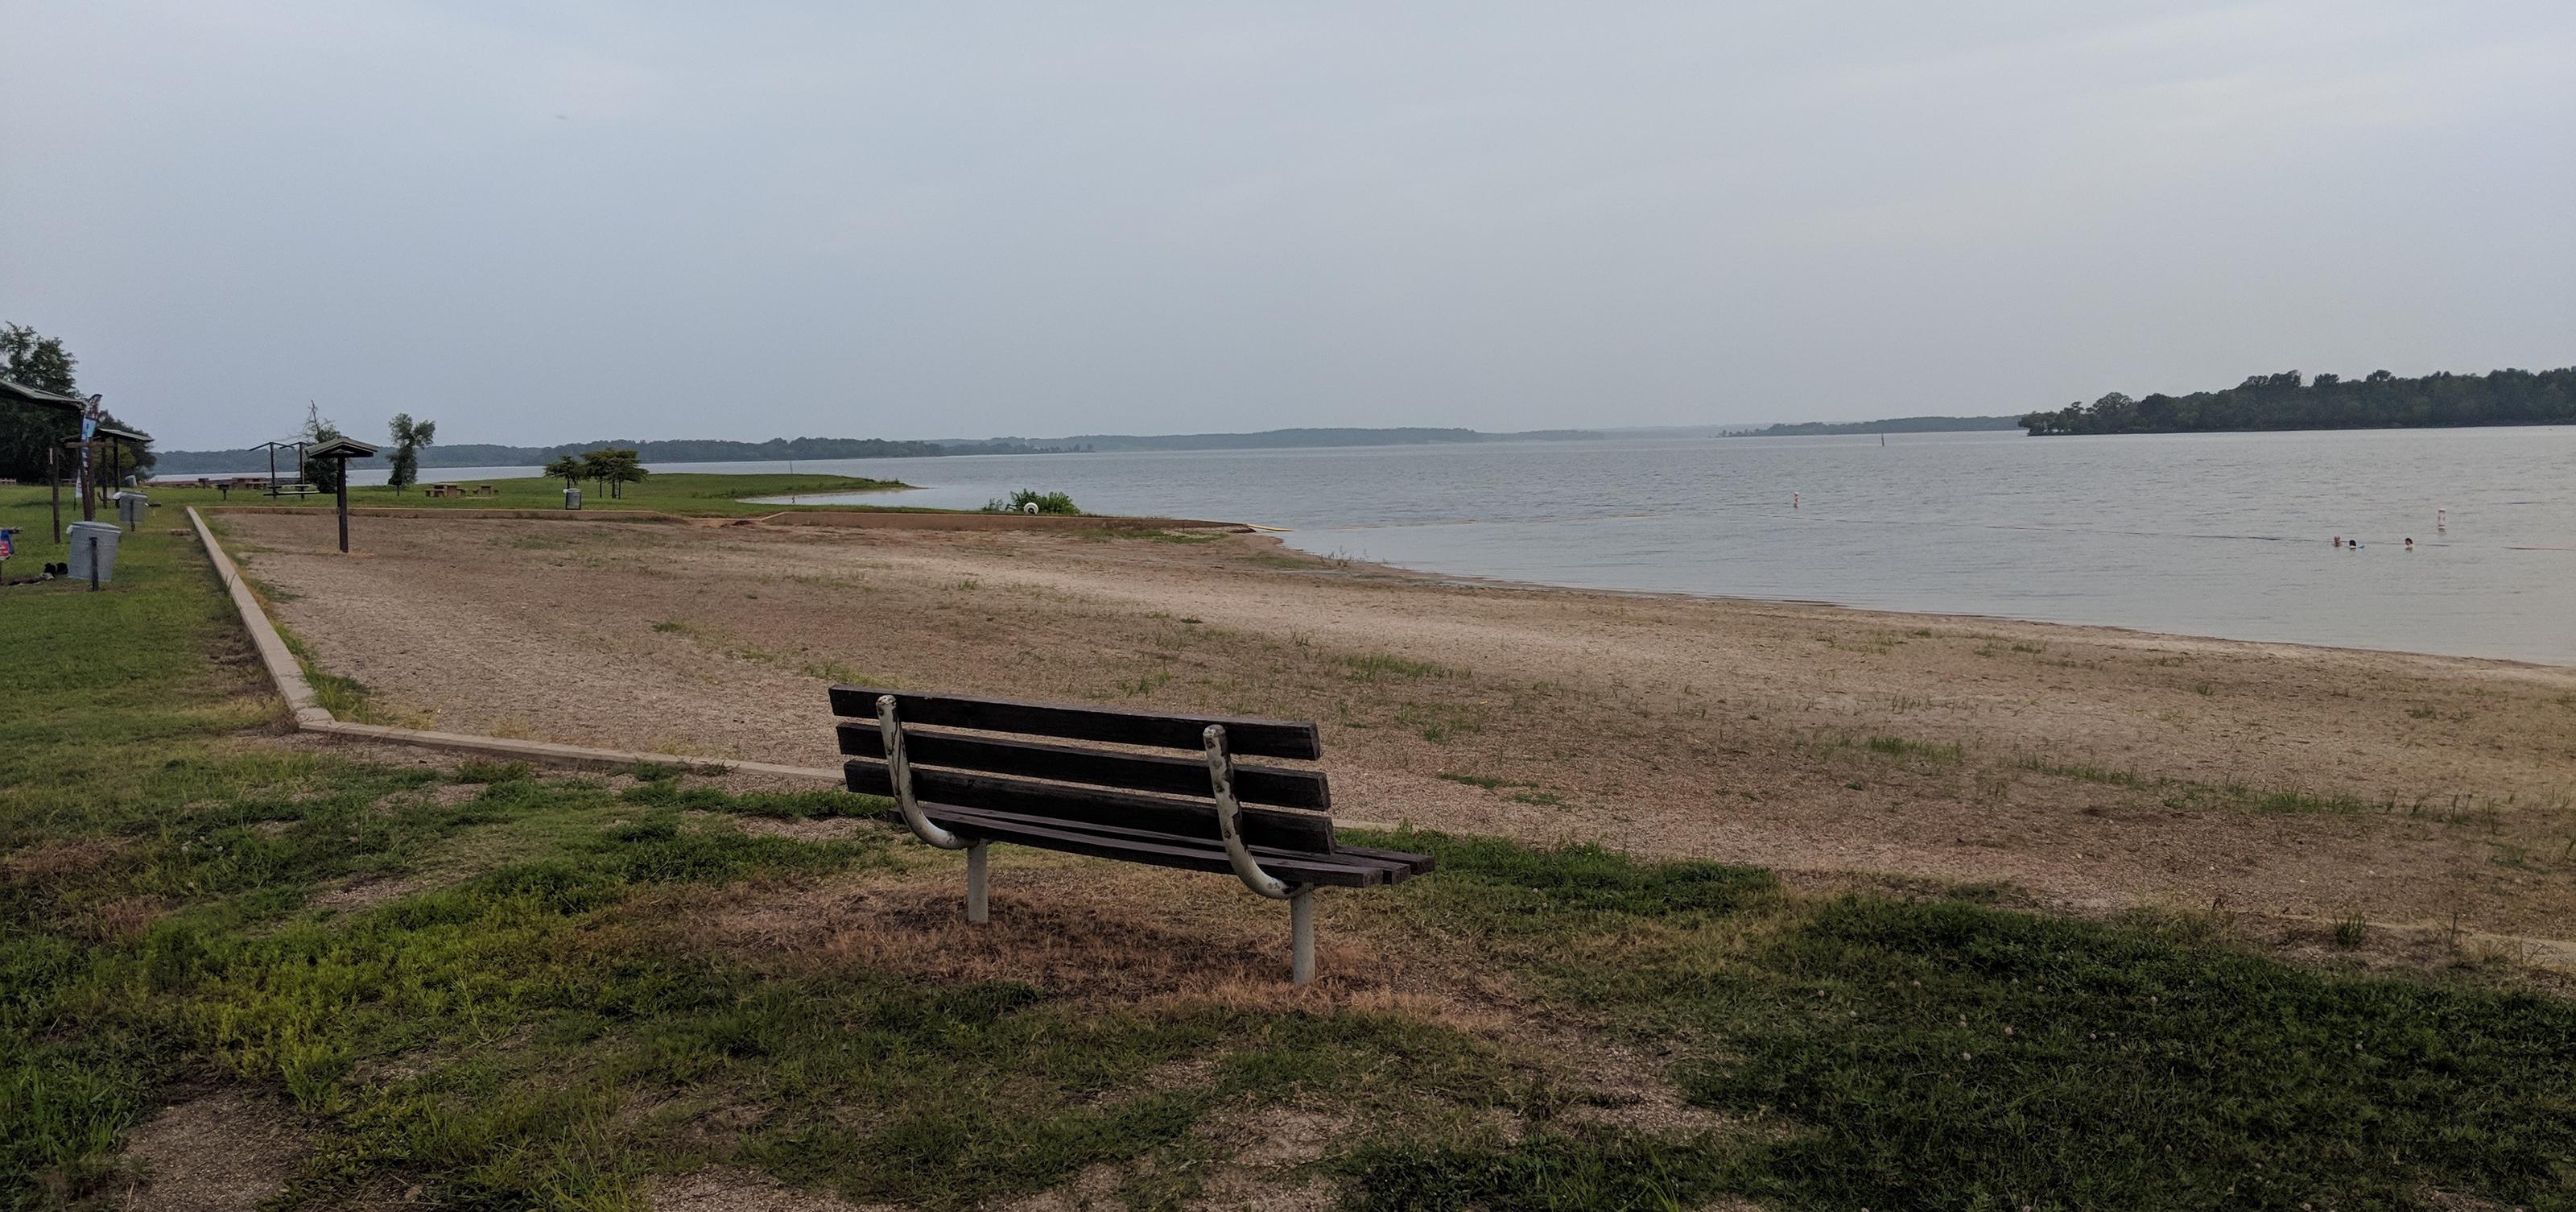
[[687, 494]]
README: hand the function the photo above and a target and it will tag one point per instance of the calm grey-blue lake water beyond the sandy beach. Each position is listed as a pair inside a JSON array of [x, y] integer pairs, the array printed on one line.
[[2222, 535]]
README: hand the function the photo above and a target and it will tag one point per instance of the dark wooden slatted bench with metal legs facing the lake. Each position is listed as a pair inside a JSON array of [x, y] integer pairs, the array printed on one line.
[[962, 777]]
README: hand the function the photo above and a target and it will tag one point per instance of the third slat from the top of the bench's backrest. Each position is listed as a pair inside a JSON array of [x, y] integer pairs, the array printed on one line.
[[1094, 806]]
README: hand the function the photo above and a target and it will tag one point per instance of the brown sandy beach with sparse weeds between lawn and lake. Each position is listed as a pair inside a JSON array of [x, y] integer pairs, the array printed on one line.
[[2083, 767]]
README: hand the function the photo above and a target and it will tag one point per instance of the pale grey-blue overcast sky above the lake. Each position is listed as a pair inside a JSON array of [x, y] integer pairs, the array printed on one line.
[[578, 220]]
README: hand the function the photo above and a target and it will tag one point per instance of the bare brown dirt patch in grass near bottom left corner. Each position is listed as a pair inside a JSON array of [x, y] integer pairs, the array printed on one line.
[[225, 1151]]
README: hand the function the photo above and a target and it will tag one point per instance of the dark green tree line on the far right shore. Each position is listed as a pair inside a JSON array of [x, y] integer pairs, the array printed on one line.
[[2291, 401]]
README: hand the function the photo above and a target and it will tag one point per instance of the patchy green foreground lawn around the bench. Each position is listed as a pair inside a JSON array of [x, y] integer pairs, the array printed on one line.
[[524, 1020]]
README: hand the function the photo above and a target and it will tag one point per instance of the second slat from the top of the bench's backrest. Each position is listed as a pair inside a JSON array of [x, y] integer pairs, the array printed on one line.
[[1135, 772]]
